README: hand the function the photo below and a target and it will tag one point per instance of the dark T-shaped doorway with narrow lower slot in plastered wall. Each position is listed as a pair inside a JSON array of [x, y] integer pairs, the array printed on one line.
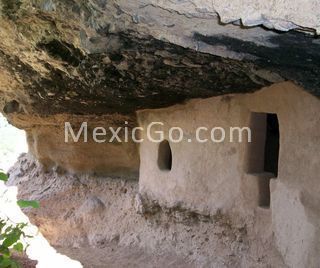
[[263, 154]]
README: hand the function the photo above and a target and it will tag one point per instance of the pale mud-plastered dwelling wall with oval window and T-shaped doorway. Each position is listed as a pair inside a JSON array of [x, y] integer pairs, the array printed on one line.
[[209, 177]]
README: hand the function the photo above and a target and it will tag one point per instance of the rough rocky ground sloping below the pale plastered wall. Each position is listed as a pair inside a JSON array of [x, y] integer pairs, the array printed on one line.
[[96, 220]]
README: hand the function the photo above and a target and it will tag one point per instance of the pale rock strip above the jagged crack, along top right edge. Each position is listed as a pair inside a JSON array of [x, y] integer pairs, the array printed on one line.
[[277, 14]]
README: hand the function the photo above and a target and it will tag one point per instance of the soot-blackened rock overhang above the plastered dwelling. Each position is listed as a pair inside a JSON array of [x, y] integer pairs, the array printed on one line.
[[104, 58]]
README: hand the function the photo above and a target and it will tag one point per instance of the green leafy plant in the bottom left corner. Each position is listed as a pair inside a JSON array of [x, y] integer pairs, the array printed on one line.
[[12, 234]]
